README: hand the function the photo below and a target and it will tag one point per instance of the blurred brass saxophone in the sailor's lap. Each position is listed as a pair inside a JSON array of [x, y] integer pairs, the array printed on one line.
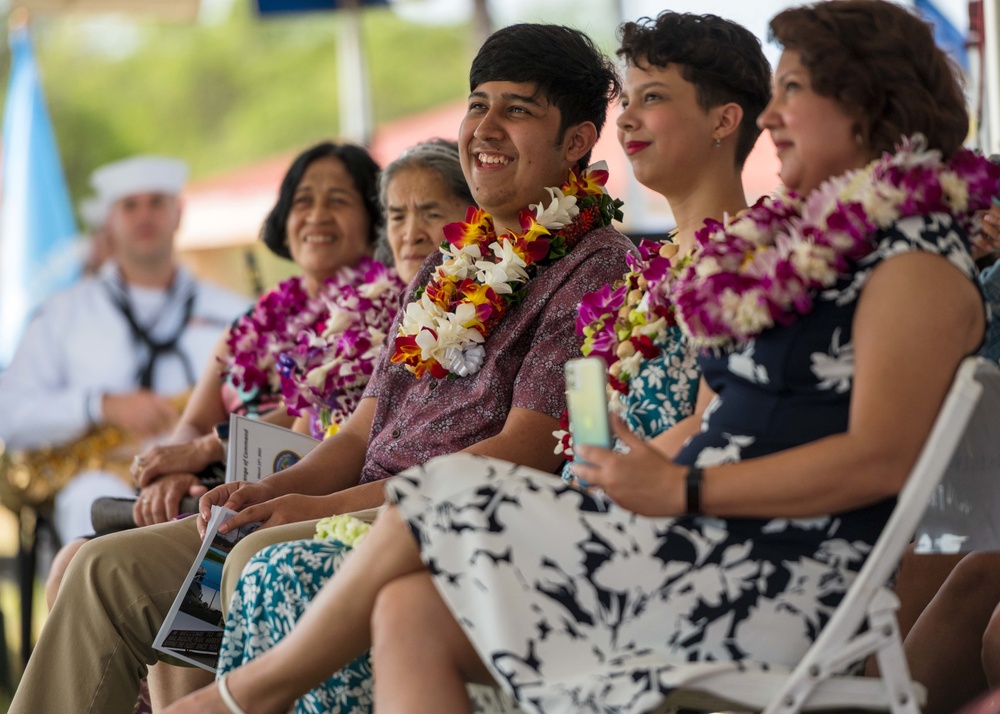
[[32, 477]]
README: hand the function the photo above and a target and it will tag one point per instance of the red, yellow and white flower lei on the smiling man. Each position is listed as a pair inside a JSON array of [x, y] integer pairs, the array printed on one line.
[[483, 275]]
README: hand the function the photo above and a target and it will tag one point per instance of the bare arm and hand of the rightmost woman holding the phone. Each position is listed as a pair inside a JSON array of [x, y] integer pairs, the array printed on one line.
[[914, 323]]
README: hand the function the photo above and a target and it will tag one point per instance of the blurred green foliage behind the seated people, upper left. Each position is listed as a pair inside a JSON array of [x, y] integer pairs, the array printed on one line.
[[224, 95]]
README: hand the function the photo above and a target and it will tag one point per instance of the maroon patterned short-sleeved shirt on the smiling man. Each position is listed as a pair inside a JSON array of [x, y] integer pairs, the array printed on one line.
[[417, 419]]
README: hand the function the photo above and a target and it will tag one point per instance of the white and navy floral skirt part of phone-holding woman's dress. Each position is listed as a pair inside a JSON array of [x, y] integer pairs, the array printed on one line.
[[577, 605]]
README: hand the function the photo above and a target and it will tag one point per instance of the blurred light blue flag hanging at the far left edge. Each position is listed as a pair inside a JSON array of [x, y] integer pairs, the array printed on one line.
[[37, 227]]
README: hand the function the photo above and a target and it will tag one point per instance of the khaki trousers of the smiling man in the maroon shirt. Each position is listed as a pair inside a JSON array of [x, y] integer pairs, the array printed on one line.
[[97, 642]]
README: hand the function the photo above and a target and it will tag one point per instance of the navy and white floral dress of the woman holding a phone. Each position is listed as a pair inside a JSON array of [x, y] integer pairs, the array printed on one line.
[[603, 610]]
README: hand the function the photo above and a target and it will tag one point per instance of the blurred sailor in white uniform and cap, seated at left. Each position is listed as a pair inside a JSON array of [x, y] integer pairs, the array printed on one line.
[[116, 348]]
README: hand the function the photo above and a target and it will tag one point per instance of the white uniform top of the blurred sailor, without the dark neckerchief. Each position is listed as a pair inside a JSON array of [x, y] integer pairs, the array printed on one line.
[[79, 345]]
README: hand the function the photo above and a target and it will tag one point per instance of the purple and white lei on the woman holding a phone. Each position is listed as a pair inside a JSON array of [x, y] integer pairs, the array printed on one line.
[[765, 266]]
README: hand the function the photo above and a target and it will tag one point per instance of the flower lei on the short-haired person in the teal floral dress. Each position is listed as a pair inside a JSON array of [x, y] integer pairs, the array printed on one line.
[[624, 324]]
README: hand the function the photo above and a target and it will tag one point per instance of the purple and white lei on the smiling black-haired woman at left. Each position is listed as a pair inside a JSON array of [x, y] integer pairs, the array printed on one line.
[[317, 352]]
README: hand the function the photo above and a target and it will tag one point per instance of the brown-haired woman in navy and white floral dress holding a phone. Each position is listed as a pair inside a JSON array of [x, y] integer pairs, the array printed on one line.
[[815, 309]]
